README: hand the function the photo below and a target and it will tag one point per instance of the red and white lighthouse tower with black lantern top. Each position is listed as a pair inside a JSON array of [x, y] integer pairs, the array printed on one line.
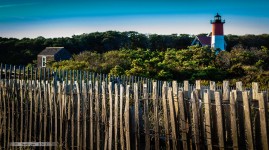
[[217, 37]]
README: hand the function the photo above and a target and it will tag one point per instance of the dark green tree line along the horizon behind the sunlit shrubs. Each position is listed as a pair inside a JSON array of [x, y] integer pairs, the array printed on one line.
[[25, 50]]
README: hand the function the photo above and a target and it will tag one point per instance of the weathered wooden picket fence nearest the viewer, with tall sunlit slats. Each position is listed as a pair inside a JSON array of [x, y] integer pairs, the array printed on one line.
[[102, 115]]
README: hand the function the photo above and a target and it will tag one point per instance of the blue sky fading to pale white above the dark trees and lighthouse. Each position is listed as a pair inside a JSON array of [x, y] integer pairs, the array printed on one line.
[[61, 18]]
